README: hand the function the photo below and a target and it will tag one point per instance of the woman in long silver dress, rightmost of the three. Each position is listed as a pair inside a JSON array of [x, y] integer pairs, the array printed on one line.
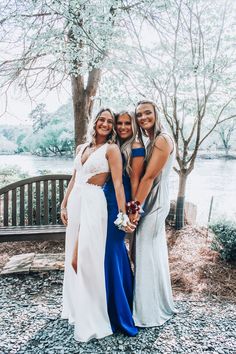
[[153, 303]]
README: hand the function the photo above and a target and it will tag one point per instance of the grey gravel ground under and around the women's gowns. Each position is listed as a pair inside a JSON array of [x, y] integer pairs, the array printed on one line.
[[30, 322]]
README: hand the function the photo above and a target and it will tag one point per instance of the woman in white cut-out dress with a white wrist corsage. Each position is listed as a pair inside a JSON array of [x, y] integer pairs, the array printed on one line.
[[84, 211]]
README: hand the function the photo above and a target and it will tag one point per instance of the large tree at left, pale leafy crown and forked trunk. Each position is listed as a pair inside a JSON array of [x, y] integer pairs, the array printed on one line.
[[48, 42]]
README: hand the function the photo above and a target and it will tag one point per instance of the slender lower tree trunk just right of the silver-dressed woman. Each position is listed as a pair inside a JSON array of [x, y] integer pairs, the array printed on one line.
[[179, 216]]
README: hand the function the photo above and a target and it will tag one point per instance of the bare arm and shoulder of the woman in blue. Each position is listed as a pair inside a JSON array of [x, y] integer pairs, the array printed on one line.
[[137, 169]]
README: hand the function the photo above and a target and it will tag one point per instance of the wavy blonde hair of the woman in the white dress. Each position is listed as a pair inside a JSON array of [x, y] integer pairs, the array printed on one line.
[[91, 133]]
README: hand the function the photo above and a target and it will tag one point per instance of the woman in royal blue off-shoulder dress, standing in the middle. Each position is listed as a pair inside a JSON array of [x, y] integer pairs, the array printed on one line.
[[118, 273]]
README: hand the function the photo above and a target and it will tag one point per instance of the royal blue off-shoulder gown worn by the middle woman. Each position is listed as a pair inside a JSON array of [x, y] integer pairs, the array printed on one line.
[[118, 273]]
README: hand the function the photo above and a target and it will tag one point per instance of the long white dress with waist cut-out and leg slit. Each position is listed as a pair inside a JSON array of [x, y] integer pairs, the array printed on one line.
[[84, 292]]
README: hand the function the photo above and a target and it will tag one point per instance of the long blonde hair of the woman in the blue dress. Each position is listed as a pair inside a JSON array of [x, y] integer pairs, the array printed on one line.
[[126, 147]]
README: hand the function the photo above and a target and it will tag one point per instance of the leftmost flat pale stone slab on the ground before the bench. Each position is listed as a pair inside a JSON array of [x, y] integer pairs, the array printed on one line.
[[20, 263]]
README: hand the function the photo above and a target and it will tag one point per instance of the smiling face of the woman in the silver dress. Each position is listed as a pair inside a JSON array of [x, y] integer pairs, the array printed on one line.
[[145, 115]]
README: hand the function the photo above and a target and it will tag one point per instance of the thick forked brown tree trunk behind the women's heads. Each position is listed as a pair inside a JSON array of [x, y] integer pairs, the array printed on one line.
[[83, 102]]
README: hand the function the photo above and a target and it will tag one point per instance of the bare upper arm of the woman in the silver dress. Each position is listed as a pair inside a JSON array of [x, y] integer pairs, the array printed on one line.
[[162, 149]]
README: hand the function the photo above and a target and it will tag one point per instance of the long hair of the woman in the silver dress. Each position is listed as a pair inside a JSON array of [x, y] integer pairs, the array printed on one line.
[[158, 127]]
